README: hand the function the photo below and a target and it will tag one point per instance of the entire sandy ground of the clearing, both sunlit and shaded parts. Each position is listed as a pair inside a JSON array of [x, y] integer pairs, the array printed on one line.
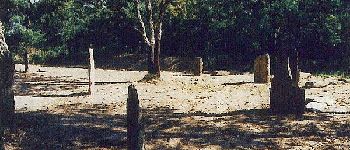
[[182, 112]]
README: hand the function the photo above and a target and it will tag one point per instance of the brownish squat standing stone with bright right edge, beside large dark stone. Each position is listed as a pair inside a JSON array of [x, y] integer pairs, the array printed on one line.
[[262, 69]]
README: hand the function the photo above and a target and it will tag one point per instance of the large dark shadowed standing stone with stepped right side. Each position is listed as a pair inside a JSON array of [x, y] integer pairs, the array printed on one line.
[[285, 97]]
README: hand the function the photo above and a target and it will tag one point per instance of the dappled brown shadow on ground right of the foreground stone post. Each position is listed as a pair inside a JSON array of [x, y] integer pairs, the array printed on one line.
[[246, 129]]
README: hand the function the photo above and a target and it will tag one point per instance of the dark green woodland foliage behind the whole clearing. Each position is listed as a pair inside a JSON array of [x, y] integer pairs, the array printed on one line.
[[59, 31]]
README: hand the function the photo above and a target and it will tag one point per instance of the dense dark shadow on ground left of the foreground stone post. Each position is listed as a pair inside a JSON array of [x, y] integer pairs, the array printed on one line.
[[79, 129]]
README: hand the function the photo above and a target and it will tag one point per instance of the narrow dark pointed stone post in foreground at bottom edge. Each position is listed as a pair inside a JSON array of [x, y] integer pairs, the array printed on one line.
[[135, 135]]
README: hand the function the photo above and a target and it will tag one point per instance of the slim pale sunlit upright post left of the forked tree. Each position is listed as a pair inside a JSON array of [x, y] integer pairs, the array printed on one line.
[[91, 72]]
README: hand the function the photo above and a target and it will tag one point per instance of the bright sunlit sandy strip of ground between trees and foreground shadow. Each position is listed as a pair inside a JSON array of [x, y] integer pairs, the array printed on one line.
[[46, 86]]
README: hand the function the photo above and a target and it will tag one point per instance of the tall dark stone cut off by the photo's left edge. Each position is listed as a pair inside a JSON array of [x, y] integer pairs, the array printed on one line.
[[7, 69]]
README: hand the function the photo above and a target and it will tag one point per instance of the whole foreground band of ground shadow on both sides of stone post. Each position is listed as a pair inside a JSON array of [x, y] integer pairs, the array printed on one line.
[[82, 126]]
